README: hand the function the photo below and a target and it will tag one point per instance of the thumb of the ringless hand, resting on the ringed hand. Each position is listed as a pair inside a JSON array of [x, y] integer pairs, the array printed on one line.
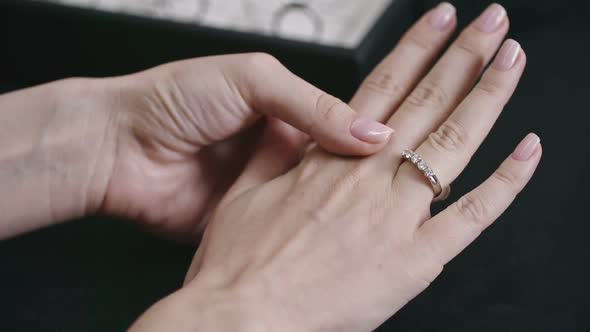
[[269, 88]]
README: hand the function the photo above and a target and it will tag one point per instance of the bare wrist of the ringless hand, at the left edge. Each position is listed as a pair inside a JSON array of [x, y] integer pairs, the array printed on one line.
[[55, 152]]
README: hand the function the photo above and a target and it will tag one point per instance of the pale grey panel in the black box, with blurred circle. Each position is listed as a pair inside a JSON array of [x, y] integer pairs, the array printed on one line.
[[330, 22]]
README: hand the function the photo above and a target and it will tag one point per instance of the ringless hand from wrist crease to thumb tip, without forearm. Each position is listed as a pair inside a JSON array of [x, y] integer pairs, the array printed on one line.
[[181, 138]]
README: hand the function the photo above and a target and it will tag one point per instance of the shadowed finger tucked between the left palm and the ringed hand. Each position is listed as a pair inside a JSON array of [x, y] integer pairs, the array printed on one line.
[[279, 149]]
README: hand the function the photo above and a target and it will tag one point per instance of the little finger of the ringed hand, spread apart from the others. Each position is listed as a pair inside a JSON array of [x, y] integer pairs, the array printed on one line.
[[453, 229]]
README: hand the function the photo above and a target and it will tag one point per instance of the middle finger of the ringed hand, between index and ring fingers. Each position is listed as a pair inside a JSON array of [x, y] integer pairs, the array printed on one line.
[[450, 79]]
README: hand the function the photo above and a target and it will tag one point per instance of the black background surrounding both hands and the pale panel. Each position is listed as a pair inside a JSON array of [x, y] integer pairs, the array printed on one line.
[[528, 272]]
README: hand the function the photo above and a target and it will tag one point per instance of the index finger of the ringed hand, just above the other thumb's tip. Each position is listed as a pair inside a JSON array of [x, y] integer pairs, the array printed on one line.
[[389, 83]]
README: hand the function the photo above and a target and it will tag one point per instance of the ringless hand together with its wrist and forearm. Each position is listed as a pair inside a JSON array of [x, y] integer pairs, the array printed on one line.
[[162, 146]]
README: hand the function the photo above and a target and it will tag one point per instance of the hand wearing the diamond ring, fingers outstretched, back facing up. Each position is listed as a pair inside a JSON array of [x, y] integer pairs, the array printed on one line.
[[341, 244]]
